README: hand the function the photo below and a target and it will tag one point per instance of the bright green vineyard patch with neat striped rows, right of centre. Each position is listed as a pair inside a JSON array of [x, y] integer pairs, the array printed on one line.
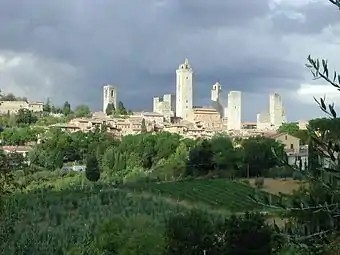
[[219, 193]]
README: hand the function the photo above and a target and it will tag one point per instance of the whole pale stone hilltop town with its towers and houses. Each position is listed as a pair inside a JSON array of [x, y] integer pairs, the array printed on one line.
[[171, 113]]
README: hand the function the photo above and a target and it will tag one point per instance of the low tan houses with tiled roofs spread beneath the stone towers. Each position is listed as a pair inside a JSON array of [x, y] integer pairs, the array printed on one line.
[[205, 123]]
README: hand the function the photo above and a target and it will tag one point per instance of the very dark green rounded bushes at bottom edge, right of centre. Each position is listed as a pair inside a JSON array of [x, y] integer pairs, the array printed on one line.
[[195, 233]]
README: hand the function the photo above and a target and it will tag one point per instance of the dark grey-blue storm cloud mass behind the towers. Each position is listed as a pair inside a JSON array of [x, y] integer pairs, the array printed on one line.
[[138, 46]]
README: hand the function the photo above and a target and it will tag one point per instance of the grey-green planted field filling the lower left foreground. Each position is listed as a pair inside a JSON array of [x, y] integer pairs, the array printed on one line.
[[52, 222]]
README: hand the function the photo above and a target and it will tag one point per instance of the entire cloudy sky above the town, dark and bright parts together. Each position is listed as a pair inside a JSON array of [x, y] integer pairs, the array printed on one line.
[[67, 50]]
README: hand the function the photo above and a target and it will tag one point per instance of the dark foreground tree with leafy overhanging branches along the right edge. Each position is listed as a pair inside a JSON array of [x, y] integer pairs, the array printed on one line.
[[315, 210]]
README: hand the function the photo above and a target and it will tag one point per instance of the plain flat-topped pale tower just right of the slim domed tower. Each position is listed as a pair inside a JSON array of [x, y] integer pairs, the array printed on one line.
[[234, 110]]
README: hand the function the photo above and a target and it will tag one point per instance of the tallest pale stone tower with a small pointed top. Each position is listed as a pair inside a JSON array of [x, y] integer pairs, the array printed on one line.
[[184, 92]]
